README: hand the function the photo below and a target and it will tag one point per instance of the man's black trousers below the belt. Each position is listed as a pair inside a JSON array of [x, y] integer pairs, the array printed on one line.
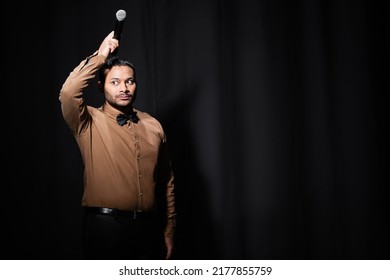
[[119, 237]]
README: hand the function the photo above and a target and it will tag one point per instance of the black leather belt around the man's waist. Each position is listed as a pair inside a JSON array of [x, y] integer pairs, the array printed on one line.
[[133, 215]]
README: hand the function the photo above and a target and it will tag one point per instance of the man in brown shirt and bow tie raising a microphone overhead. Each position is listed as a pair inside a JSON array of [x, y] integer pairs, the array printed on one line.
[[128, 197]]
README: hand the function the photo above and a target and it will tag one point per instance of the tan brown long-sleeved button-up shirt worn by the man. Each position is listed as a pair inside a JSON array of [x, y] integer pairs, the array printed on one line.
[[125, 167]]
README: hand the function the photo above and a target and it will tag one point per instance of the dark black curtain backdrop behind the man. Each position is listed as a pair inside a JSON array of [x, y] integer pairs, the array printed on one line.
[[275, 111]]
